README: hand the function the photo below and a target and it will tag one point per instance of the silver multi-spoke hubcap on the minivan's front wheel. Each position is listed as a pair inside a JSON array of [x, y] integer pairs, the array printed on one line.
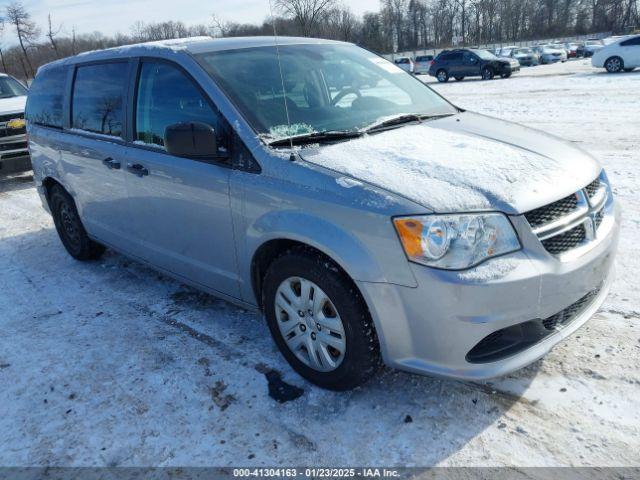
[[310, 324]]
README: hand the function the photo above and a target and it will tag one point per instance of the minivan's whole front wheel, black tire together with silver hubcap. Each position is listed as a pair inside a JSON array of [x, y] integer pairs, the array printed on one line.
[[319, 320]]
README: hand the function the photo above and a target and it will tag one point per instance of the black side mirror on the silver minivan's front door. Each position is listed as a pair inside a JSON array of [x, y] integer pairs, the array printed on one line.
[[191, 139]]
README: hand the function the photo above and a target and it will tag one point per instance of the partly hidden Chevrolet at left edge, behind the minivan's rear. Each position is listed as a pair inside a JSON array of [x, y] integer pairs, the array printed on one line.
[[14, 154]]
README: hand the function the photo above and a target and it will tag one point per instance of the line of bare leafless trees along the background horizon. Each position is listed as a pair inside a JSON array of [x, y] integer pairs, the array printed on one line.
[[398, 25]]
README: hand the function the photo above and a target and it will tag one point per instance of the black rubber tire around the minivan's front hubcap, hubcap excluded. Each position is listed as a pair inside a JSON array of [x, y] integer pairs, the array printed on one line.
[[362, 354]]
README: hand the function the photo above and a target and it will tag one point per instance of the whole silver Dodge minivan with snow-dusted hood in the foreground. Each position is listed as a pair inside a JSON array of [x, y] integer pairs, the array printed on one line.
[[370, 221]]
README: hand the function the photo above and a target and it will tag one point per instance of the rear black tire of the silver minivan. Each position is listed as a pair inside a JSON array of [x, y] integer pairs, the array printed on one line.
[[69, 226]]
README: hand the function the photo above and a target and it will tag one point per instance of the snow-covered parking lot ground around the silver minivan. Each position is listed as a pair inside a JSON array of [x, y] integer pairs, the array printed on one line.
[[109, 363]]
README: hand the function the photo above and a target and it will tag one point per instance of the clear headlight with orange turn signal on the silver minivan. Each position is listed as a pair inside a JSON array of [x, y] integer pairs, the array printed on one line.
[[456, 242]]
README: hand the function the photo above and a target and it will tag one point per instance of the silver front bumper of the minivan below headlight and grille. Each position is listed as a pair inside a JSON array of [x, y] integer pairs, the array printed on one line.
[[432, 329]]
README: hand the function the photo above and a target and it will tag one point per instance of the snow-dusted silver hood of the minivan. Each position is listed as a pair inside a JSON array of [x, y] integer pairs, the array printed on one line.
[[466, 162]]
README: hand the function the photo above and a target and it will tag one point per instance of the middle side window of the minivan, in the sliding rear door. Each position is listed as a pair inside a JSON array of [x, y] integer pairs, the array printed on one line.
[[98, 95]]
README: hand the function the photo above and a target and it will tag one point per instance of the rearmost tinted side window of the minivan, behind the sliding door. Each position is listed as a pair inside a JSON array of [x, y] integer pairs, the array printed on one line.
[[46, 95]]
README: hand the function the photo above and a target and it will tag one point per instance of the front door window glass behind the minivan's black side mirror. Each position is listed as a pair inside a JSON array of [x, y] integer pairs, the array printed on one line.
[[167, 96]]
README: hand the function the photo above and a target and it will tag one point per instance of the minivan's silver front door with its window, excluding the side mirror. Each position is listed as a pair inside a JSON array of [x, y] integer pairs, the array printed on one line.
[[180, 206]]
